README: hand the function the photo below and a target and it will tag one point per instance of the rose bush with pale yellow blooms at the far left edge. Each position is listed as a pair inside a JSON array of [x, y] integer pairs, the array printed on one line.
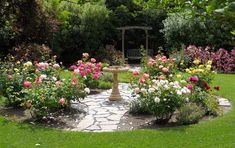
[[12, 76]]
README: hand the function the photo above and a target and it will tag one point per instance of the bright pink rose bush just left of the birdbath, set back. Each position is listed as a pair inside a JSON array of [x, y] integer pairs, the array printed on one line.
[[88, 70]]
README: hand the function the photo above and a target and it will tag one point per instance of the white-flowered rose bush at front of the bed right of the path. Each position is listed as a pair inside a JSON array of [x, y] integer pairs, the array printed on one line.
[[161, 98]]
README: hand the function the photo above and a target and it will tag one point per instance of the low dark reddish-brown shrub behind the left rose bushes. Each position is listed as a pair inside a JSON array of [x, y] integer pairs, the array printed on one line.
[[31, 52]]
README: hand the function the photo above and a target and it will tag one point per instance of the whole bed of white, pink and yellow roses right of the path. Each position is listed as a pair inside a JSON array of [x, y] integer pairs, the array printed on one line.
[[161, 90]]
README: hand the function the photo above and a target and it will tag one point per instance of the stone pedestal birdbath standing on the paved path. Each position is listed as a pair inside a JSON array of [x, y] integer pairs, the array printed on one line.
[[115, 95]]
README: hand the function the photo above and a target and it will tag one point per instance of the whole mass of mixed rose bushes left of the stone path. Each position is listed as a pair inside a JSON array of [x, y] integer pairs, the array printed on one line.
[[37, 86]]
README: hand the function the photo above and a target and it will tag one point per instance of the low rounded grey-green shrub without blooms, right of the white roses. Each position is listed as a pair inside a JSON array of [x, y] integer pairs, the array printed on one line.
[[189, 113]]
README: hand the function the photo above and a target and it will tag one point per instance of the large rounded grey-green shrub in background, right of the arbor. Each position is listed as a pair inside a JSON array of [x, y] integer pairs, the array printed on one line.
[[184, 28]]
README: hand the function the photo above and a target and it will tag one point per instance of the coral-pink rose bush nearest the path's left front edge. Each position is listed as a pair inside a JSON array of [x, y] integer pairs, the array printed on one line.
[[48, 93]]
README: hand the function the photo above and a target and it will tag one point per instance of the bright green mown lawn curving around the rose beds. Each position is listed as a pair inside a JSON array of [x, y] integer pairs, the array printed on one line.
[[219, 132]]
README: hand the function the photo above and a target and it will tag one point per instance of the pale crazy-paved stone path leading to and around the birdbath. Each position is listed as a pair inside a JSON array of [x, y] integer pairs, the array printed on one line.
[[102, 114]]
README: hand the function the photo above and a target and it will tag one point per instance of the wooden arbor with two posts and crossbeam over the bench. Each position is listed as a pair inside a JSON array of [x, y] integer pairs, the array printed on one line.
[[133, 27]]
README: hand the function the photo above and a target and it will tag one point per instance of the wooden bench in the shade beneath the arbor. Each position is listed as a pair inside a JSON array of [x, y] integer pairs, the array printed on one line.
[[135, 54]]
